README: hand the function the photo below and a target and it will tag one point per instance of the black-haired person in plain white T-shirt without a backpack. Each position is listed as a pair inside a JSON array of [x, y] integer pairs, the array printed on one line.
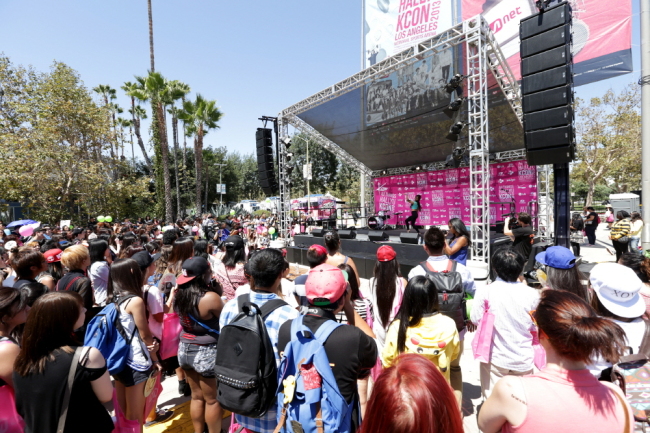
[[511, 303]]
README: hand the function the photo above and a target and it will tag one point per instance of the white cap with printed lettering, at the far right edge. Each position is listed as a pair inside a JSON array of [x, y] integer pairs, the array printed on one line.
[[617, 288]]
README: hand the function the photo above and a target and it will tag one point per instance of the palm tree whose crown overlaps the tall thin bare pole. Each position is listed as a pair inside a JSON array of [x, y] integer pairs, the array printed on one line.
[[154, 90]]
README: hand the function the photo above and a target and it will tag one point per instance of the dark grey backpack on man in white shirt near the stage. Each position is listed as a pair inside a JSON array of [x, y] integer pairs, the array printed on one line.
[[451, 292]]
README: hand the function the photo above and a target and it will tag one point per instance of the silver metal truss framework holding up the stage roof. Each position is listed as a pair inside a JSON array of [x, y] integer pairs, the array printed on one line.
[[482, 53]]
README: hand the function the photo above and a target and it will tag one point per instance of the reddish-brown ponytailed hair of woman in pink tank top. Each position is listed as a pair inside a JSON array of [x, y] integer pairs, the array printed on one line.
[[575, 331]]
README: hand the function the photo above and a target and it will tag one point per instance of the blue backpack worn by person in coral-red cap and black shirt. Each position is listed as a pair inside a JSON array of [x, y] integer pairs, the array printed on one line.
[[316, 405]]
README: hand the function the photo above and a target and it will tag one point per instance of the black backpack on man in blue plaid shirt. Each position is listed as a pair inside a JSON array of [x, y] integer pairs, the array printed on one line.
[[245, 366]]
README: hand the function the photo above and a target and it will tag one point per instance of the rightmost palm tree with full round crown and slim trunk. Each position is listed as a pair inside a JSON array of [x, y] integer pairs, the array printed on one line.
[[200, 116]]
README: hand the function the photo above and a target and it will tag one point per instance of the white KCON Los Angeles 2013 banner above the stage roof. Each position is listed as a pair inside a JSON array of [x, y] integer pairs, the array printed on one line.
[[392, 26]]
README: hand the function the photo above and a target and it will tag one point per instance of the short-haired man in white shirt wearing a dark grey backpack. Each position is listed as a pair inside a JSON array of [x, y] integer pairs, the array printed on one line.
[[434, 243]]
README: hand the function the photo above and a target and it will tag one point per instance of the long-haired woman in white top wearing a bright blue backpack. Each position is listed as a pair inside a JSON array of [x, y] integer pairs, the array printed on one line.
[[125, 290]]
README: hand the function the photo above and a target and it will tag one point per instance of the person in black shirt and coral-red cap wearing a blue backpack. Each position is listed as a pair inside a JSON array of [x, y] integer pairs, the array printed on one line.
[[351, 350]]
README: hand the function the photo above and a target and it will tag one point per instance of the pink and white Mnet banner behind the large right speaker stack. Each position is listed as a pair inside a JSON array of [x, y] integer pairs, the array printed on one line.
[[602, 32]]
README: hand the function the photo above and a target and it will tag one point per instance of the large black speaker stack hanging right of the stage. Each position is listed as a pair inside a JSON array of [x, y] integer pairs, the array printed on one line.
[[547, 86]]
